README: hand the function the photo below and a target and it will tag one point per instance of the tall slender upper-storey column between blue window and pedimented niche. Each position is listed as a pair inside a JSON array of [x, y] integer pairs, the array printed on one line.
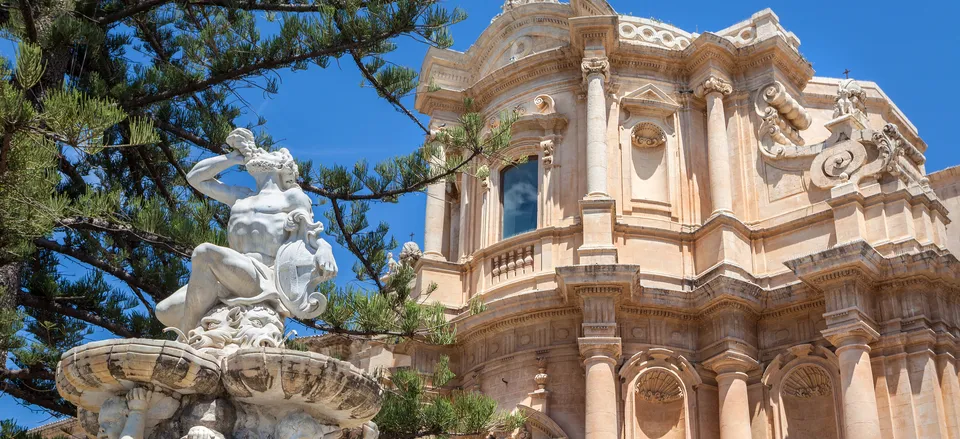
[[595, 73]]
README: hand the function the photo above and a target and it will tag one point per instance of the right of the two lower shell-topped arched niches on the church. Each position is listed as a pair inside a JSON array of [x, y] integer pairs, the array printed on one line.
[[803, 397]]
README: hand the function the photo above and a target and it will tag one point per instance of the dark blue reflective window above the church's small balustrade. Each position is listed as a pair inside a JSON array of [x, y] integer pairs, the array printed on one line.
[[519, 197]]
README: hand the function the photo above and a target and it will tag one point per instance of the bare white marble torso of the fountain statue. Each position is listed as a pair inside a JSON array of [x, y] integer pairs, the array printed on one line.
[[256, 223]]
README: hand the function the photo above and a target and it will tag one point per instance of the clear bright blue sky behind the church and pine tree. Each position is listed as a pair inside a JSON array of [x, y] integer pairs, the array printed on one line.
[[909, 48]]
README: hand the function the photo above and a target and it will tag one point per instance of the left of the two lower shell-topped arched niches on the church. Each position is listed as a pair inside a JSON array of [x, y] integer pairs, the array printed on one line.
[[662, 382]]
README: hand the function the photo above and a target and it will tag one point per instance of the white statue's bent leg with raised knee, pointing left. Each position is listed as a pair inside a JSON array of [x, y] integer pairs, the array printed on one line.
[[217, 271]]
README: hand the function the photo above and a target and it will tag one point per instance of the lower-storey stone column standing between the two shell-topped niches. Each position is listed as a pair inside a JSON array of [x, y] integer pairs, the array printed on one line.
[[731, 368]]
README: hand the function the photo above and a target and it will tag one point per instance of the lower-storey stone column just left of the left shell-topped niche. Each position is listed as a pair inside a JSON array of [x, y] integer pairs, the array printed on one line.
[[600, 360]]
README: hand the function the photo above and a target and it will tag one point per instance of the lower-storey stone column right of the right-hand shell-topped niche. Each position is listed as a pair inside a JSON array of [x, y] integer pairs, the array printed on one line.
[[860, 417]]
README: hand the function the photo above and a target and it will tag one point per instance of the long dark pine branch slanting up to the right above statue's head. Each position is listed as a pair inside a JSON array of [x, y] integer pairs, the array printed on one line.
[[267, 64]]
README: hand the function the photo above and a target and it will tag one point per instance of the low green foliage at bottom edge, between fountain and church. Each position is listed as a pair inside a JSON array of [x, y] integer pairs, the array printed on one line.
[[417, 406]]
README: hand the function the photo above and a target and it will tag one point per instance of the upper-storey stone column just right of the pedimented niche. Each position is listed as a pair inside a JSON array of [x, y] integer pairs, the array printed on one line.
[[718, 150]]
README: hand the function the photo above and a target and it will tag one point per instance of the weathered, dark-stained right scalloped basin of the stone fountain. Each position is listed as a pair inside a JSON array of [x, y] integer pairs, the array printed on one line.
[[327, 389]]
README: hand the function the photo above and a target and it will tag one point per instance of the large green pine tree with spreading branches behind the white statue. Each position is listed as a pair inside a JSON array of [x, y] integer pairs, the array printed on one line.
[[109, 103]]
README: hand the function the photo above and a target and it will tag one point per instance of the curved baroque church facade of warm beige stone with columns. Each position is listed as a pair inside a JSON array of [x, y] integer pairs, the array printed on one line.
[[704, 240]]
